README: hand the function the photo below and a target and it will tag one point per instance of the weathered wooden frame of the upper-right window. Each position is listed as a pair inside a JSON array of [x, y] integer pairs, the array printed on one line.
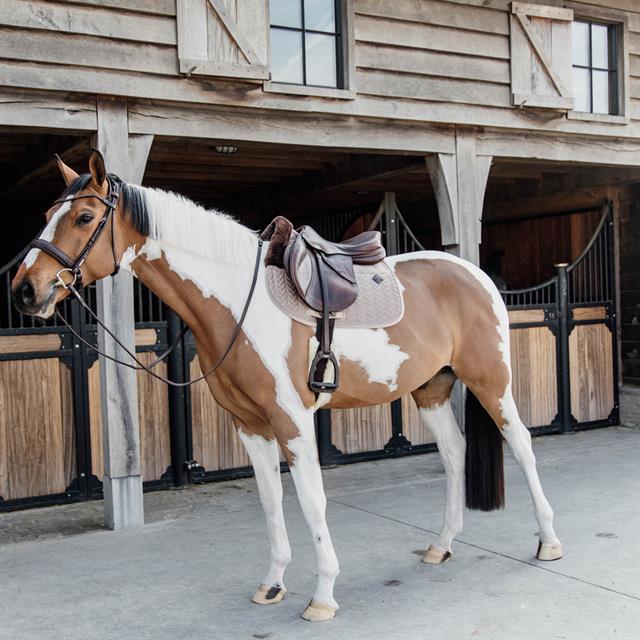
[[619, 23]]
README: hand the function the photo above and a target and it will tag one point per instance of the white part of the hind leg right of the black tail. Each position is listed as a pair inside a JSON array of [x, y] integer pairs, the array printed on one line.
[[519, 439]]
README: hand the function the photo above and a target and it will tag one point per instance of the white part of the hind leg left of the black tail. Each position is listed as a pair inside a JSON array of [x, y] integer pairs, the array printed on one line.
[[441, 421]]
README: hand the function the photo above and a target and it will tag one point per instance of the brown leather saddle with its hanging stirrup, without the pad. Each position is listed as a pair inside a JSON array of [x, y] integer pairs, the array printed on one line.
[[323, 275]]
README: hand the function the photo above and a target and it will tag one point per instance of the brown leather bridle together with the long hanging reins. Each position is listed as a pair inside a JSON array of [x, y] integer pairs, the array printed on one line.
[[74, 267]]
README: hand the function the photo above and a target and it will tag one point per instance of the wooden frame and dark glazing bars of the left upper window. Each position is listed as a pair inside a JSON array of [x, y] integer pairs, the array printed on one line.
[[345, 57]]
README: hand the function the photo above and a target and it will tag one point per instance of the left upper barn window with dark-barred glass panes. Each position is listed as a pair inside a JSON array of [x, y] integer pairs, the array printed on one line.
[[306, 42]]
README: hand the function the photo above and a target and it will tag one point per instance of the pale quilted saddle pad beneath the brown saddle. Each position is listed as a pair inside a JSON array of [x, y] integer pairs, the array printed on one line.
[[379, 303]]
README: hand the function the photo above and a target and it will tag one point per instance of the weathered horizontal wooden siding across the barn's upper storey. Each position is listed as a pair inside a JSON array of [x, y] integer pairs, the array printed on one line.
[[442, 61]]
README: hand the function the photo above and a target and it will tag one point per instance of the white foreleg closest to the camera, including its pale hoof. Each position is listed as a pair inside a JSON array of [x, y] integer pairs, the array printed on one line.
[[305, 470]]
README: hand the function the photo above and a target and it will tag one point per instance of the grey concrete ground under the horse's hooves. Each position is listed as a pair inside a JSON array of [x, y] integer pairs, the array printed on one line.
[[192, 570]]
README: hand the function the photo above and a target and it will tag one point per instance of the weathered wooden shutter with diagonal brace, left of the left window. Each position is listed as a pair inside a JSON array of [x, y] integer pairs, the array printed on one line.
[[227, 38]]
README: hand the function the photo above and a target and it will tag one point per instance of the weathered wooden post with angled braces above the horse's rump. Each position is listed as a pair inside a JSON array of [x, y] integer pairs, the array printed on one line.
[[459, 181]]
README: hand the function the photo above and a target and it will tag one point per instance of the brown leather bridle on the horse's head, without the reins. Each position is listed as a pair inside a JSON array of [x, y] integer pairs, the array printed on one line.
[[74, 267]]
